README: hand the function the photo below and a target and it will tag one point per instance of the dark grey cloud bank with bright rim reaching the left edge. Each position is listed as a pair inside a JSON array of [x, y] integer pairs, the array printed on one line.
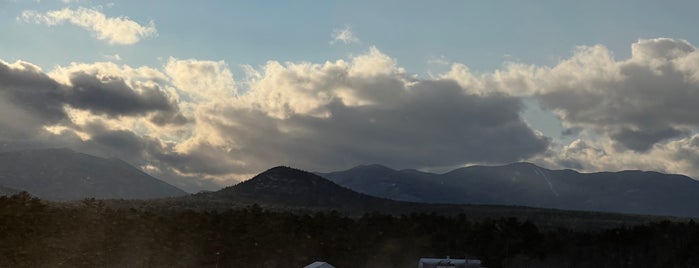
[[27, 92]]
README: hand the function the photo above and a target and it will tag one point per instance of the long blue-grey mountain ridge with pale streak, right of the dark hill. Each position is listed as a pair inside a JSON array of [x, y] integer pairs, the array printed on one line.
[[526, 184]]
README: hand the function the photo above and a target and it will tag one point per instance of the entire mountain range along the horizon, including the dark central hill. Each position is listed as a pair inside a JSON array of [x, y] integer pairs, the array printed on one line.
[[62, 174]]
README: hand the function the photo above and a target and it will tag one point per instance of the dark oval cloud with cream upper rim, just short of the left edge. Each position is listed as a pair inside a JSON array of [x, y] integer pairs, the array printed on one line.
[[118, 91]]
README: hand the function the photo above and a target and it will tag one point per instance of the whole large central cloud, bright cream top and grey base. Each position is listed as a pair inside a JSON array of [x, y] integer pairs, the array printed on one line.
[[339, 114]]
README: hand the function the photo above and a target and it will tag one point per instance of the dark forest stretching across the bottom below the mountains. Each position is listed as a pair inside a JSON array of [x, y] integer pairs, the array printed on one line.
[[91, 233]]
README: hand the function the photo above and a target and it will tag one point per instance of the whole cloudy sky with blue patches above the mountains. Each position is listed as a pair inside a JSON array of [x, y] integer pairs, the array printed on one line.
[[204, 94]]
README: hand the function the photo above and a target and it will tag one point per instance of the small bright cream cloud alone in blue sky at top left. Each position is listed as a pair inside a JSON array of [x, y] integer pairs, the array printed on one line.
[[115, 30]]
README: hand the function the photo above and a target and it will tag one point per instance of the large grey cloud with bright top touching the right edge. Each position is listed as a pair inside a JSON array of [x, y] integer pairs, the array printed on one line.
[[638, 102]]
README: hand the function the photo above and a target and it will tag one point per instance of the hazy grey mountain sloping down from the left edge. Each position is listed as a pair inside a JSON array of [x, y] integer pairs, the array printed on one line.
[[62, 174]]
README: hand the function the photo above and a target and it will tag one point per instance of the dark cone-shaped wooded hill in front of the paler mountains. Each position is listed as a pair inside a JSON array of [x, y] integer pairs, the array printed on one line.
[[289, 187]]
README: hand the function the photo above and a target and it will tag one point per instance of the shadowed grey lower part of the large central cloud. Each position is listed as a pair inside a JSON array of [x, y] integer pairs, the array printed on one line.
[[433, 123]]
